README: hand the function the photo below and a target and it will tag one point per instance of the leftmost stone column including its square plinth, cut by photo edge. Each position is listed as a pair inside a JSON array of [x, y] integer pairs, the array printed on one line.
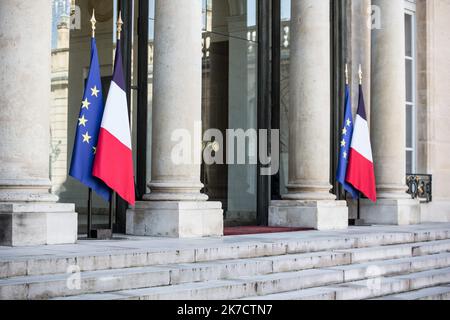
[[29, 214]]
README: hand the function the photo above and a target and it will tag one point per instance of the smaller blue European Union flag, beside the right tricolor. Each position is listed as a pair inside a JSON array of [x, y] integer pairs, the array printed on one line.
[[345, 145]]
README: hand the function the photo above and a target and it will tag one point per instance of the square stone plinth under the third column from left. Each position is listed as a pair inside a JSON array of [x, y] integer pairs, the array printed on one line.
[[319, 215]]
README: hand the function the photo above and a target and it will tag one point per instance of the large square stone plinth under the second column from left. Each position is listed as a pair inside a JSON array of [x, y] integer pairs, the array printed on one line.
[[180, 219]]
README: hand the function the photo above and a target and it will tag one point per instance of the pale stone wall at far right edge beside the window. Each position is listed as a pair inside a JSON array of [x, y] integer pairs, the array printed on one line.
[[434, 99]]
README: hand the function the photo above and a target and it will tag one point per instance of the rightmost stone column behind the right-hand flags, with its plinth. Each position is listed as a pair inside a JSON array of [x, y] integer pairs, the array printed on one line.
[[388, 120]]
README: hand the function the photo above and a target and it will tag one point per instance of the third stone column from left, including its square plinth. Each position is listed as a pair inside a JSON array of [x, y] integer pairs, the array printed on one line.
[[309, 202]]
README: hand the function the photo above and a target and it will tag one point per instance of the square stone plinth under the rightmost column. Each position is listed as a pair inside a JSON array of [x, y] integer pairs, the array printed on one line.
[[391, 212]]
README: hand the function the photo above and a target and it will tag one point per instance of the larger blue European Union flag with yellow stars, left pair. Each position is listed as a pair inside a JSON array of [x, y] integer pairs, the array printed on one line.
[[88, 128]]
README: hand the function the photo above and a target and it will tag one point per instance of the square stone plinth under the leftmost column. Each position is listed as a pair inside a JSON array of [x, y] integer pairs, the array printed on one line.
[[31, 224]]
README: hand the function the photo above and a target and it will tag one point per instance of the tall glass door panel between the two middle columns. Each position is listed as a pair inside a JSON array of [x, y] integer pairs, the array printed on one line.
[[230, 105]]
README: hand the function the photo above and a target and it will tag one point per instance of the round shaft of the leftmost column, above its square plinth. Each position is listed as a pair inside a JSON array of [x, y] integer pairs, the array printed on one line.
[[25, 29]]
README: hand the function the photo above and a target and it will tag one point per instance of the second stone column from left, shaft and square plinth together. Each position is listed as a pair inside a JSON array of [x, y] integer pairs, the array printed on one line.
[[176, 207]]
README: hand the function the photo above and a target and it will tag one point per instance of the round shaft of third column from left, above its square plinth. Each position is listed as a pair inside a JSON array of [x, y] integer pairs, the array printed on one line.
[[309, 113]]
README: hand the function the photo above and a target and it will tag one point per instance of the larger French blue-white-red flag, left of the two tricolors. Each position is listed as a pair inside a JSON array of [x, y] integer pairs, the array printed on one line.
[[113, 162]]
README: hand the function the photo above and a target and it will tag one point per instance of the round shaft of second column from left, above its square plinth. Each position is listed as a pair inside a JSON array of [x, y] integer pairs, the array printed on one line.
[[176, 99]]
